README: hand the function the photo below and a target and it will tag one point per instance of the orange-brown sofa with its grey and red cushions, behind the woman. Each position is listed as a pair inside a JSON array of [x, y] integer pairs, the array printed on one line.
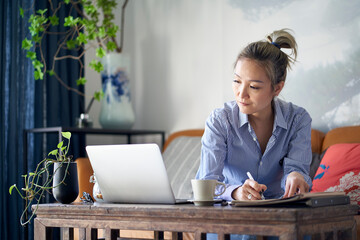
[[181, 155]]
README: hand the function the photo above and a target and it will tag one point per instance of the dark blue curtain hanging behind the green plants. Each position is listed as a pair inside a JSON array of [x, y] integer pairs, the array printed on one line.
[[26, 103]]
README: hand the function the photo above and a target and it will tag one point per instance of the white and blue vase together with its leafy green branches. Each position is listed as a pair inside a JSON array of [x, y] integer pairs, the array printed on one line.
[[87, 24]]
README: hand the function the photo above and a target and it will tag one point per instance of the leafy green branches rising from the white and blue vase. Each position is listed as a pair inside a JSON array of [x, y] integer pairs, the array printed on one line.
[[93, 27]]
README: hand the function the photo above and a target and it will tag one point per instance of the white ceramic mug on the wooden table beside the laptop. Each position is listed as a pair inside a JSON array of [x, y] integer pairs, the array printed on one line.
[[204, 190]]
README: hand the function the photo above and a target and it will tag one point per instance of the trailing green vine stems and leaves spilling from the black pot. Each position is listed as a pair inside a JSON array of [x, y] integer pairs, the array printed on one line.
[[40, 181]]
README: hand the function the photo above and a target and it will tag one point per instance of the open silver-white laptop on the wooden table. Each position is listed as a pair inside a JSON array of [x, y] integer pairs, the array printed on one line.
[[131, 173]]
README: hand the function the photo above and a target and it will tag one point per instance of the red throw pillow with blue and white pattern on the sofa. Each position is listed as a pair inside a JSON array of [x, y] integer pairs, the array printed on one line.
[[339, 170]]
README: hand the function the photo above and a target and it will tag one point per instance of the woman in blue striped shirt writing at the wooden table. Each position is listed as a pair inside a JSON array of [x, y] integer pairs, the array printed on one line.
[[258, 133]]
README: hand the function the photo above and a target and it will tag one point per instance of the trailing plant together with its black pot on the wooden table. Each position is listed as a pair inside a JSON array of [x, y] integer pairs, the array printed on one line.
[[62, 181]]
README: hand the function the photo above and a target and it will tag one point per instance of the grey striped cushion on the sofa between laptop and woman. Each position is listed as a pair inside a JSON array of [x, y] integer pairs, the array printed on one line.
[[182, 159]]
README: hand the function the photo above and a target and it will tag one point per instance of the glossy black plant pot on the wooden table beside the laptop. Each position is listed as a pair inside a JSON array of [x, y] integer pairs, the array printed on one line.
[[65, 188]]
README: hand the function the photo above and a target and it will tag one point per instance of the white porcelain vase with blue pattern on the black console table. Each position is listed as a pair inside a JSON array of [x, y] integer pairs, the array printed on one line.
[[116, 107]]
